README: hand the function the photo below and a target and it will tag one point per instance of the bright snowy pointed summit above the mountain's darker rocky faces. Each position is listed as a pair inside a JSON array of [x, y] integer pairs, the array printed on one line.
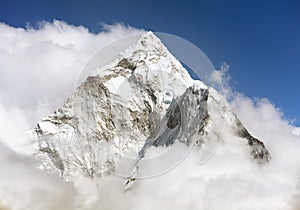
[[148, 58]]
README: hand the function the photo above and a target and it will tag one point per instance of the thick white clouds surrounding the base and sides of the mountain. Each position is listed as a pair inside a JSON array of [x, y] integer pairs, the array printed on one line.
[[39, 68]]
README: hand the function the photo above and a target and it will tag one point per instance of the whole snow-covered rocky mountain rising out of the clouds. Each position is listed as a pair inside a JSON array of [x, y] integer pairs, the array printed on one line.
[[142, 100]]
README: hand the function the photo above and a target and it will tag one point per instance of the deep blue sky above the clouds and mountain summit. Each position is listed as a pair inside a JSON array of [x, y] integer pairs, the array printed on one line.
[[260, 40]]
